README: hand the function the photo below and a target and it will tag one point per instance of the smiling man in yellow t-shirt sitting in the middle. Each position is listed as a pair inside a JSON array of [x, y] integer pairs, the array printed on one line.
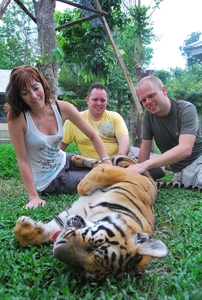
[[109, 125]]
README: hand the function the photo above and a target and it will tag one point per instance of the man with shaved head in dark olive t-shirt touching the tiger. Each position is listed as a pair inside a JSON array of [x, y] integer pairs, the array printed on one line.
[[174, 126]]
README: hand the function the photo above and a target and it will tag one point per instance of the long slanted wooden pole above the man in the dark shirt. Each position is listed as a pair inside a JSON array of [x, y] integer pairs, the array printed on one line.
[[121, 61]]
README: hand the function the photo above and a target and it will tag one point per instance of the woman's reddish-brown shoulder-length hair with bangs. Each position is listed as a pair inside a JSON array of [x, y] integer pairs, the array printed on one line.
[[21, 78]]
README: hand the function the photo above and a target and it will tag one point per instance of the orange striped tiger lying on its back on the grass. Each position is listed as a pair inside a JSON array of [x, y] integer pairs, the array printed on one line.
[[108, 230]]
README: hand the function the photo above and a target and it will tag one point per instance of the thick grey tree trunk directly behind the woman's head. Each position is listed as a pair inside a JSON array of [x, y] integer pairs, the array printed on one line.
[[44, 12]]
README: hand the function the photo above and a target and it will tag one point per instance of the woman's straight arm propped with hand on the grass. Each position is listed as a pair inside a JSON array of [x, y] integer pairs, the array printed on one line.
[[17, 129]]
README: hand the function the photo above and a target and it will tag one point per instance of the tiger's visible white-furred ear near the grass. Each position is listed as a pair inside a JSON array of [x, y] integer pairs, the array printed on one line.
[[148, 246]]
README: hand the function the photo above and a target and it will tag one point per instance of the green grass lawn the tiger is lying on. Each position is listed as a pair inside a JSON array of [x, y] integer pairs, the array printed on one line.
[[33, 272]]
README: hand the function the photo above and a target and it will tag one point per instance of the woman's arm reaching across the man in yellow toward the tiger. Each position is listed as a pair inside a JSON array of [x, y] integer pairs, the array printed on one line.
[[70, 112]]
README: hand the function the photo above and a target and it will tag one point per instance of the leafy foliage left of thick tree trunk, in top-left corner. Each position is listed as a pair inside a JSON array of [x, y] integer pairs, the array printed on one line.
[[18, 37]]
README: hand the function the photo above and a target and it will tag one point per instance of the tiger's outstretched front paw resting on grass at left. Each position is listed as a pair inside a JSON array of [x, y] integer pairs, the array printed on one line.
[[29, 232]]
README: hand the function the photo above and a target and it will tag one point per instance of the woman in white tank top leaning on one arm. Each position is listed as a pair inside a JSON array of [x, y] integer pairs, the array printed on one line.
[[35, 124]]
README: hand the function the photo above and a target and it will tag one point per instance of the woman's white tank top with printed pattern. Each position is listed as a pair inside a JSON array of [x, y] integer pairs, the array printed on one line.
[[46, 157]]
